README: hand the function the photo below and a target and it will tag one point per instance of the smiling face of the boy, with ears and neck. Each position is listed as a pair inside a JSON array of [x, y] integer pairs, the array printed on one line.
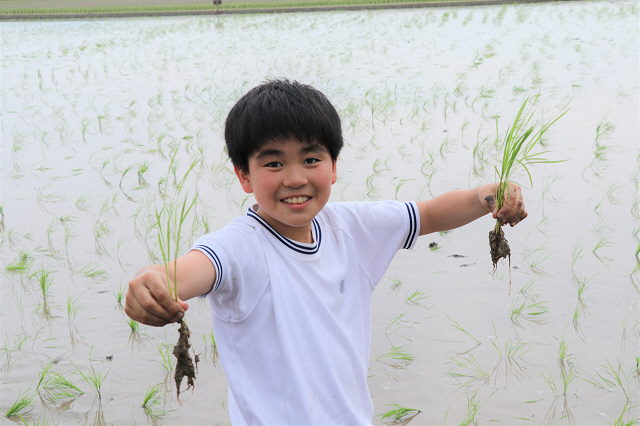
[[291, 182]]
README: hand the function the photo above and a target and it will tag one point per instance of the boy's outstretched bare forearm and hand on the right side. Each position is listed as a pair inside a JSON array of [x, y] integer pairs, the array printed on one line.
[[457, 208]]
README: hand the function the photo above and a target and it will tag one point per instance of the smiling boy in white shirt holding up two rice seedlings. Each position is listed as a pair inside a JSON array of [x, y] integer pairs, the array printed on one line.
[[289, 284]]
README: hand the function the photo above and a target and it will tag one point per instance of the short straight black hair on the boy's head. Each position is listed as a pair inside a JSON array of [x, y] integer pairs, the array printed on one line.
[[278, 109]]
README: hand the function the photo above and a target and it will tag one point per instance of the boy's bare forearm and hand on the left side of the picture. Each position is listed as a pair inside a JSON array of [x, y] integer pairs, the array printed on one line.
[[149, 298]]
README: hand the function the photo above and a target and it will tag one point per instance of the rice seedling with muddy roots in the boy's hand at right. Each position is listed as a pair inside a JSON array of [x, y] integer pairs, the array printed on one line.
[[517, 151]]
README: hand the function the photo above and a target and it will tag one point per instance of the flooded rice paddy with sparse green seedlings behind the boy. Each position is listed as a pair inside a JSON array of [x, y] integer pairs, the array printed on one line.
[[94, 111]]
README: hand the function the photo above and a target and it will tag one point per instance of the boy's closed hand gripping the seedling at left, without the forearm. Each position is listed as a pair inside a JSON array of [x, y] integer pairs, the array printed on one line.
[[149, 302]]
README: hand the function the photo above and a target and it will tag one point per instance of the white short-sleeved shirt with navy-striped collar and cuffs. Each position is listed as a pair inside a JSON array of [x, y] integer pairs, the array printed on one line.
[[293, 320]]
